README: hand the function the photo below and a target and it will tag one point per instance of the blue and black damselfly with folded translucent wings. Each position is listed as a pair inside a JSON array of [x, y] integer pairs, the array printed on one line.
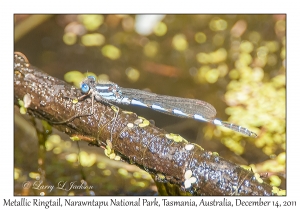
[[180, 107]]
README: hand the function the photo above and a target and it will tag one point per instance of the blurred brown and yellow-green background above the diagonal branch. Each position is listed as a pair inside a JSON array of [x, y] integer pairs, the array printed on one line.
[[233, 61]]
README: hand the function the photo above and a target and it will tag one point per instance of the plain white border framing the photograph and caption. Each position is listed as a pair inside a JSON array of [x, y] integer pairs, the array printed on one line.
[[155, 6]]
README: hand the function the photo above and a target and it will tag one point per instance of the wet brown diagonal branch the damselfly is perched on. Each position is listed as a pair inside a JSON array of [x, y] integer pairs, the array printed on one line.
[[169, 157]]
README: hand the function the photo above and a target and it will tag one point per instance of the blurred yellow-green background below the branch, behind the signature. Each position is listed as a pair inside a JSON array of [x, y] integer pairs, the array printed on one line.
[[65, 168]]
